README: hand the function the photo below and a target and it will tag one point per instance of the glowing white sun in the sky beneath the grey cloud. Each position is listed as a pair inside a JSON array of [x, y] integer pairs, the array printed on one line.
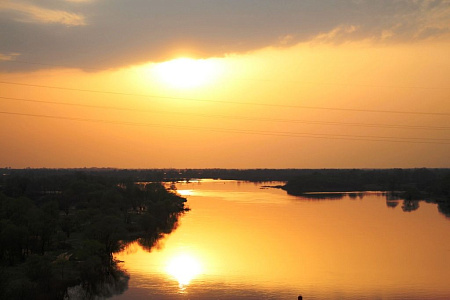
[[185, 73]]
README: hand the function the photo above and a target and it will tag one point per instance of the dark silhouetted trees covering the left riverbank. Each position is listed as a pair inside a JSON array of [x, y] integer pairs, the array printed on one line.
[[60, 228]]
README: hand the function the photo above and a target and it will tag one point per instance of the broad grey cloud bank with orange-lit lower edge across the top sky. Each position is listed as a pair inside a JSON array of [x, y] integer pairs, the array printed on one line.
[[119, 33]]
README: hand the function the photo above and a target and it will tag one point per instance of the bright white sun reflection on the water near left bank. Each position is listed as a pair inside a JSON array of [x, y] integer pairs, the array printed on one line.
[[184, 268]]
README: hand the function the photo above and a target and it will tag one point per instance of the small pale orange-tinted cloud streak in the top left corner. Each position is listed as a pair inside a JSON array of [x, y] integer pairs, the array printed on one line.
[[30, 13]]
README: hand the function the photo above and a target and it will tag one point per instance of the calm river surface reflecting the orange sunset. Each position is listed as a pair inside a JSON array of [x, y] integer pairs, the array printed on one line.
[[243, 241]]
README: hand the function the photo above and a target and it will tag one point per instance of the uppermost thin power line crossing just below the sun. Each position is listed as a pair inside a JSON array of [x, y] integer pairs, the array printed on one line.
[[230, 102]]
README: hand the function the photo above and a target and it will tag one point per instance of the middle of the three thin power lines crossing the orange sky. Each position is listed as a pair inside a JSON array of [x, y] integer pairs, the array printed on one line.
[[371, 125]]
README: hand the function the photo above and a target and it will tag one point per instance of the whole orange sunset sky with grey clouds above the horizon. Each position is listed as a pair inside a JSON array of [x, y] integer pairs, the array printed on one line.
[[224, 84]]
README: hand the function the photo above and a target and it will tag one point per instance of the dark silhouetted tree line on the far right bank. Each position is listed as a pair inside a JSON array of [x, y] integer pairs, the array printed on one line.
[[411, 185]]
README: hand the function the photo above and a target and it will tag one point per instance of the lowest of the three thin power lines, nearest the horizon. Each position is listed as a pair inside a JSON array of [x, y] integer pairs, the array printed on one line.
[[253, 132]]
